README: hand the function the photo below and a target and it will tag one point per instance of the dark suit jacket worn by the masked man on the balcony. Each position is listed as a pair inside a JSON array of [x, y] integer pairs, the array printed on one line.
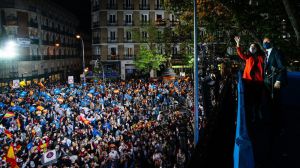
[[275, 64]]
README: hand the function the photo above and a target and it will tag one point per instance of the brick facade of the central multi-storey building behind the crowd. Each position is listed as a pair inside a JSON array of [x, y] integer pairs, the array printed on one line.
[[114, 23]]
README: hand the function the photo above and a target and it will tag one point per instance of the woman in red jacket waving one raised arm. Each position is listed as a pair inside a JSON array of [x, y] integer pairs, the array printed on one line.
[[253, 82]]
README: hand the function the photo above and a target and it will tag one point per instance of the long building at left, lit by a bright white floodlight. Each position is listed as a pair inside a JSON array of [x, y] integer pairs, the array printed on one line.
[[46, 46]]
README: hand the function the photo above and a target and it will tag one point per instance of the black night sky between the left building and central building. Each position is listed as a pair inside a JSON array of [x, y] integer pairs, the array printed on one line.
[[81, 9]]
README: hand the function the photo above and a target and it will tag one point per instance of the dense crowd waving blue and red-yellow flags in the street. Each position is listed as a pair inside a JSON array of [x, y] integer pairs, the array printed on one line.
[[112, 124]]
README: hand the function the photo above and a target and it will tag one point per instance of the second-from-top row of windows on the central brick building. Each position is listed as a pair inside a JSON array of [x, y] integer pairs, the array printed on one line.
[[144, 17]]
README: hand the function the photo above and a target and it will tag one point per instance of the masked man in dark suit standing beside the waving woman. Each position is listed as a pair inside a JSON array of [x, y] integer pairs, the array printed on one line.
[[275, 79]]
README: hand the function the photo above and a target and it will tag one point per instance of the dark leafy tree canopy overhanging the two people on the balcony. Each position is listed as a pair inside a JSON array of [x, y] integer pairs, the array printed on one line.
[[251, 19]]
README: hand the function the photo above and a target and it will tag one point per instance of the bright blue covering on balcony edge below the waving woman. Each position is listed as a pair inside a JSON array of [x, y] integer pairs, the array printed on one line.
[[243, 154]]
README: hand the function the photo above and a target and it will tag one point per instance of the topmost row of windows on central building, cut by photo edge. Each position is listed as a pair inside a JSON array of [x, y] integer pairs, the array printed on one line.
[[128, 4]]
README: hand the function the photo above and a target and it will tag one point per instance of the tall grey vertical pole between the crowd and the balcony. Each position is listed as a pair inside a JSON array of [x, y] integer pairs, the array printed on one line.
[[196, 80]]
